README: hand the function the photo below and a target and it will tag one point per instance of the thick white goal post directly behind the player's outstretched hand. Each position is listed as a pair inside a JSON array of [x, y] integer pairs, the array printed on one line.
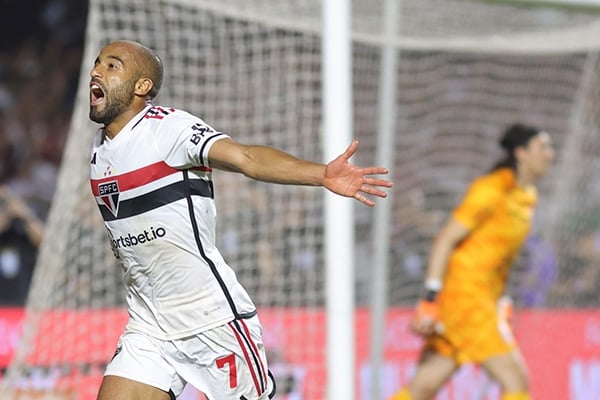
[[338, 214]]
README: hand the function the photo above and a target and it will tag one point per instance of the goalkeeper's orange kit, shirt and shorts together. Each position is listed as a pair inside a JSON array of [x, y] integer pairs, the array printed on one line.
[[498, 215]]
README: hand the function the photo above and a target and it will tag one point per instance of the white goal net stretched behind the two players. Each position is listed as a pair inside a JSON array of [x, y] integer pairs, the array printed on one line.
[[252, 68]]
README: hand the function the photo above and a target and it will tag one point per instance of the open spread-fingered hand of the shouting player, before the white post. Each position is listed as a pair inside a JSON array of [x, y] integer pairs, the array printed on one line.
[[349, 180]]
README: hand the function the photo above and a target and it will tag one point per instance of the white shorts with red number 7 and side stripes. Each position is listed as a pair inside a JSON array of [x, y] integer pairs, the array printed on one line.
[[225, 363]]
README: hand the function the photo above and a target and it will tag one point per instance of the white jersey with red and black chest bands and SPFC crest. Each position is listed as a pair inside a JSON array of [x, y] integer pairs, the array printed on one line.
[[152, 183]]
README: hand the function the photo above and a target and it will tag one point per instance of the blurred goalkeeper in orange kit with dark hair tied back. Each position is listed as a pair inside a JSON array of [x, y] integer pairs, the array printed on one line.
[[467, 271]]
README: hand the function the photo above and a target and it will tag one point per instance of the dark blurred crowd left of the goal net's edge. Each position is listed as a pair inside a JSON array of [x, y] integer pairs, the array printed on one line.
[[41, 45]]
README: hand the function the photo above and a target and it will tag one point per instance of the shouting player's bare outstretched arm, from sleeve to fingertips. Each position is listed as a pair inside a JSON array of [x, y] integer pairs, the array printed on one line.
[[271, 165]]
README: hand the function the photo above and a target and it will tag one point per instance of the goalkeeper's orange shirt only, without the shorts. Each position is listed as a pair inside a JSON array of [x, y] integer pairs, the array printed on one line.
[[498, 215]]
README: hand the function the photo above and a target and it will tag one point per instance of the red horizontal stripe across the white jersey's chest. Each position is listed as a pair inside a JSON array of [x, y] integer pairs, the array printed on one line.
[[139, 177]]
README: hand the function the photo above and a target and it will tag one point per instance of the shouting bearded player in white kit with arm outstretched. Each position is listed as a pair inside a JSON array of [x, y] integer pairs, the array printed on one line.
[[190, 320]]
